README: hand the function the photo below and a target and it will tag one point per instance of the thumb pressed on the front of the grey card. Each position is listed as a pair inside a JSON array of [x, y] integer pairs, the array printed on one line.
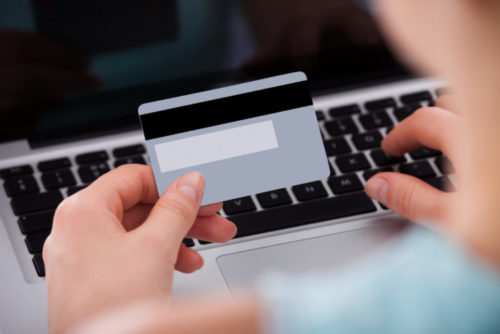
[[174, 213]]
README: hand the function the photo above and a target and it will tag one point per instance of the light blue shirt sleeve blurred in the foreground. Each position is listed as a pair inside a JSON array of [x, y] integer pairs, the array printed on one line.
[[424, 284]]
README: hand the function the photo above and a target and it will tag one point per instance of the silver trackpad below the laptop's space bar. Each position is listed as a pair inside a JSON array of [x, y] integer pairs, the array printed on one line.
[[241, 270]]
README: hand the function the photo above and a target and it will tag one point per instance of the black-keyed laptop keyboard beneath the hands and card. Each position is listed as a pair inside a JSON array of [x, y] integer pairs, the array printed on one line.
[[352, 140]]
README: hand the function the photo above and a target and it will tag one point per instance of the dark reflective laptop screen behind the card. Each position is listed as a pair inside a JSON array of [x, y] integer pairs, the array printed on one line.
[[74, 69]]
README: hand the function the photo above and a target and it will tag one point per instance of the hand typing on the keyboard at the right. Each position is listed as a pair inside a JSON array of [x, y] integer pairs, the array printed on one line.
[[412, 198]]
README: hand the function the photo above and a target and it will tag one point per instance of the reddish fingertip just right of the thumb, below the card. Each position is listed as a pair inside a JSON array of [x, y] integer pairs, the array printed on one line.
[[213, 229]]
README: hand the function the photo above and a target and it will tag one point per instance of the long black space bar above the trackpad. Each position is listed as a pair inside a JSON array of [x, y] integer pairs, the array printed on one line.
[[301, 214]]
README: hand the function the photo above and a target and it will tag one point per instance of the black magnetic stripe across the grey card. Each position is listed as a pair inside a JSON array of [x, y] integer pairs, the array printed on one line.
[[225, 110]]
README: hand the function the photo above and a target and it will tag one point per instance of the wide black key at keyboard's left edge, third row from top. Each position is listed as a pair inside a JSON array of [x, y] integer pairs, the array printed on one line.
[[36, 202]]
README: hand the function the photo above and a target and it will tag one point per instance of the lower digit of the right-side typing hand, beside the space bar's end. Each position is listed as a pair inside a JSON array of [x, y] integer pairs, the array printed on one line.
[[410, 197]]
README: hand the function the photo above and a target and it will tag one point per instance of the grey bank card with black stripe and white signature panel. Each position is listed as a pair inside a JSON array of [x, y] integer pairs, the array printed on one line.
[[245, 139]]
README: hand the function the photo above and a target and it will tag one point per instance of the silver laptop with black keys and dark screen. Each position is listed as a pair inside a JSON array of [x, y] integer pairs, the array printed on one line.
[[73, 116]]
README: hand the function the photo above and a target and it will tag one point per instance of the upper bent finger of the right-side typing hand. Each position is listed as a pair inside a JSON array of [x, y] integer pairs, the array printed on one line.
[[432, 127]]
